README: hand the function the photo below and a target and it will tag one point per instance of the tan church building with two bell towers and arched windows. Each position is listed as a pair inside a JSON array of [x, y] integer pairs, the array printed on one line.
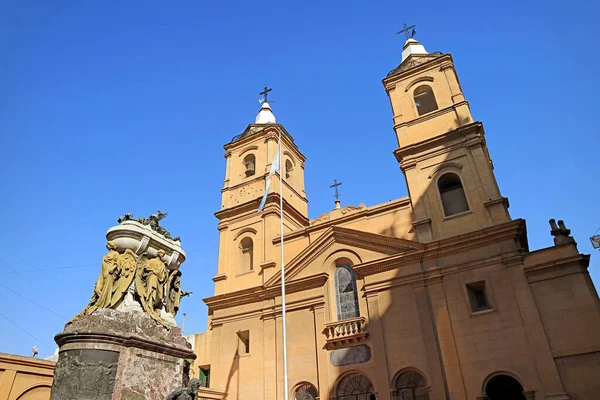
[[432, 296]]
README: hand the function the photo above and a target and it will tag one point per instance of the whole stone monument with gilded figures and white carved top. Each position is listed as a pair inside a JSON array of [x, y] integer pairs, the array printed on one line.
[[125, 344]]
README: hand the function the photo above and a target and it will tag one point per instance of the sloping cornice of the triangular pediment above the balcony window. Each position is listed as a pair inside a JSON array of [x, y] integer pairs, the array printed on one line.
[[353, 239]]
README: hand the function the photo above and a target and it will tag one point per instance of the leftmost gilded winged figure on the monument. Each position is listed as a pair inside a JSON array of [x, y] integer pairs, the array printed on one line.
[[103, 289]]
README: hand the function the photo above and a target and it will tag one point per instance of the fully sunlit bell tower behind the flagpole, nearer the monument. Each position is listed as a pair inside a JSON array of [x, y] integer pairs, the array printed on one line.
[[247, 253]]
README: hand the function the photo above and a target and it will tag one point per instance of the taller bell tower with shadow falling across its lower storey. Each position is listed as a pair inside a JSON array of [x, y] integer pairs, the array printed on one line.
[[441, 150]]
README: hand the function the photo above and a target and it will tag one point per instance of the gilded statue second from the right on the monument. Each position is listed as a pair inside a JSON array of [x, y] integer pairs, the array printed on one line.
[[151, 276]]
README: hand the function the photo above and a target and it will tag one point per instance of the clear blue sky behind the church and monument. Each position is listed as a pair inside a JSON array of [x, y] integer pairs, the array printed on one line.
[[109, 108]]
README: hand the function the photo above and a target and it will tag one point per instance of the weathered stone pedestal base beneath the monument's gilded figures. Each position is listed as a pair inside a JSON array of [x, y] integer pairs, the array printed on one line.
[[114, 355]]
